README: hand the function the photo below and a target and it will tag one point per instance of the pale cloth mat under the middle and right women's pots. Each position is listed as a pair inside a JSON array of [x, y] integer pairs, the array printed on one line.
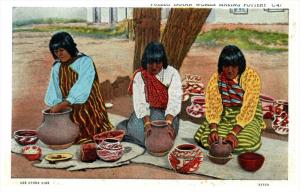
[[275, 166]]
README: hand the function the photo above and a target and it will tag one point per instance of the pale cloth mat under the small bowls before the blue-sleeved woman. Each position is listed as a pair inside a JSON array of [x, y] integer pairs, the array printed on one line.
[[130, 151]]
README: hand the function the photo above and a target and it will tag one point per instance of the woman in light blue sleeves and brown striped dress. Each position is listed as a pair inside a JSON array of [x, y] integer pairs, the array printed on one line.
[[74, 83]]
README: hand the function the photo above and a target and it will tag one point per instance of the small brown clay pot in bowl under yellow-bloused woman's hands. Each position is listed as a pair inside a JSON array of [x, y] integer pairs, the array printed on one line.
[[220, 152]]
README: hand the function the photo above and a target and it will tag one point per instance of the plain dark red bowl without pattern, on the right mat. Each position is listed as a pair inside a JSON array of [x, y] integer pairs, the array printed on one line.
[[251, 161]]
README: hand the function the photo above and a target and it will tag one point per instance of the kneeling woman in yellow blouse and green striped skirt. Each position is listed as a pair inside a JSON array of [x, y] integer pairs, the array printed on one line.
[[233, 108]]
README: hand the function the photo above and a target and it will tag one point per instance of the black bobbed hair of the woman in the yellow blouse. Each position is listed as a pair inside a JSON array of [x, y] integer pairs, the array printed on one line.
[[231, 55]]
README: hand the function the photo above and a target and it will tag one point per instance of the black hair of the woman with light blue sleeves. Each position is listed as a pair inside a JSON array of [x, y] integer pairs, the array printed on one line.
[[63, 40]]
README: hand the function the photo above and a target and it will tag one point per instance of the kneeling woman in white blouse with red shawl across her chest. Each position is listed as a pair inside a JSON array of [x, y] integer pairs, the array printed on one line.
[[156, 91]]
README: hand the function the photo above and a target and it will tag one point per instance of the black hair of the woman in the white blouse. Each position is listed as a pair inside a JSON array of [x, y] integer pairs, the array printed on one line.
[[154, 53]]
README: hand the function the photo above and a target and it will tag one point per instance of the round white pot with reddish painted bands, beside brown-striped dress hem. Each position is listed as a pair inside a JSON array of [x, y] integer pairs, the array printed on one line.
[[110, 150]]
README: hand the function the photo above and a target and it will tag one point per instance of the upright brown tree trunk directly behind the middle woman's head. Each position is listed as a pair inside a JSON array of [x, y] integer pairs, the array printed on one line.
[[146, 29]]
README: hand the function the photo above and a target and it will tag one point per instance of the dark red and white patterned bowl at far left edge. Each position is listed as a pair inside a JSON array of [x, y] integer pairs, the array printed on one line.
[[26, 137]]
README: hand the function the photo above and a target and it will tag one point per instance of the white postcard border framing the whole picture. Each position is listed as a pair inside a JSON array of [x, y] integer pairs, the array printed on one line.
[[8, 184]]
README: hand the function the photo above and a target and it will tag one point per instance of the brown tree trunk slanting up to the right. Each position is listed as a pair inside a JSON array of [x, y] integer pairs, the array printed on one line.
[[181, 30]]
